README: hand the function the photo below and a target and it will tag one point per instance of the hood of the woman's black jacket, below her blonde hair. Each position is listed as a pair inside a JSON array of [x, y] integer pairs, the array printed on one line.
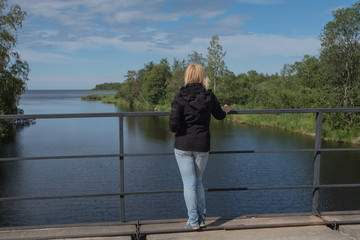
[[196, 96]]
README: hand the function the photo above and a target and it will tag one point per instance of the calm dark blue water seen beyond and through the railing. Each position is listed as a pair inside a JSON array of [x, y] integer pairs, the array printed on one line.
[[49, 137]]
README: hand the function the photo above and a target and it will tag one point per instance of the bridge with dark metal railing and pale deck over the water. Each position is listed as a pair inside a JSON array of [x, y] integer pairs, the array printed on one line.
[[313, 225]]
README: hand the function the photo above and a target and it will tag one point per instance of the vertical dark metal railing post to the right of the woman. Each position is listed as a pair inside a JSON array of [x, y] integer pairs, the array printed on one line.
[[317, 155]]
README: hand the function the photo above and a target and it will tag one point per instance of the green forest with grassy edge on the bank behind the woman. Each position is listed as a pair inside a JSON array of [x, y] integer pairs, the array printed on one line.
[[329, 80]]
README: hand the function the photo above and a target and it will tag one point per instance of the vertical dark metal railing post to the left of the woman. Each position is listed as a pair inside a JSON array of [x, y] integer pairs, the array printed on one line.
[[122, 172]]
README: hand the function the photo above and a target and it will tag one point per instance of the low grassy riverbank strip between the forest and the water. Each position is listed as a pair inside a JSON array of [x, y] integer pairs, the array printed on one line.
[[304, 123]]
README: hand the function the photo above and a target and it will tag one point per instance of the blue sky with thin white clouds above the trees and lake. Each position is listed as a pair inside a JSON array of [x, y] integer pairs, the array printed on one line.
[[76, 44]]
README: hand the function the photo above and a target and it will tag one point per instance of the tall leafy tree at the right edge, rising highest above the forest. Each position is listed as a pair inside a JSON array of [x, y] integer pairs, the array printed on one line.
[[340, 55]]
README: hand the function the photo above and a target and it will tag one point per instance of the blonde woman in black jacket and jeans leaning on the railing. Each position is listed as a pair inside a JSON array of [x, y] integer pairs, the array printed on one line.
[[189, 123]]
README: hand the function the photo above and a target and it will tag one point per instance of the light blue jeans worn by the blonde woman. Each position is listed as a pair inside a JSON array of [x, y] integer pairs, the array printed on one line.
[[192, 166]]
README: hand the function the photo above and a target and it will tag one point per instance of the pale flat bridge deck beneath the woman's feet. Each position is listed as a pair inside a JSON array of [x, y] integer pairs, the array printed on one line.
[[328, 226]]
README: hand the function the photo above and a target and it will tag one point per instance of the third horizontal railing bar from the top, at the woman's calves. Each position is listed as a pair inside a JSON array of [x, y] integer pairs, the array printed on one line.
[[180, 190]]
